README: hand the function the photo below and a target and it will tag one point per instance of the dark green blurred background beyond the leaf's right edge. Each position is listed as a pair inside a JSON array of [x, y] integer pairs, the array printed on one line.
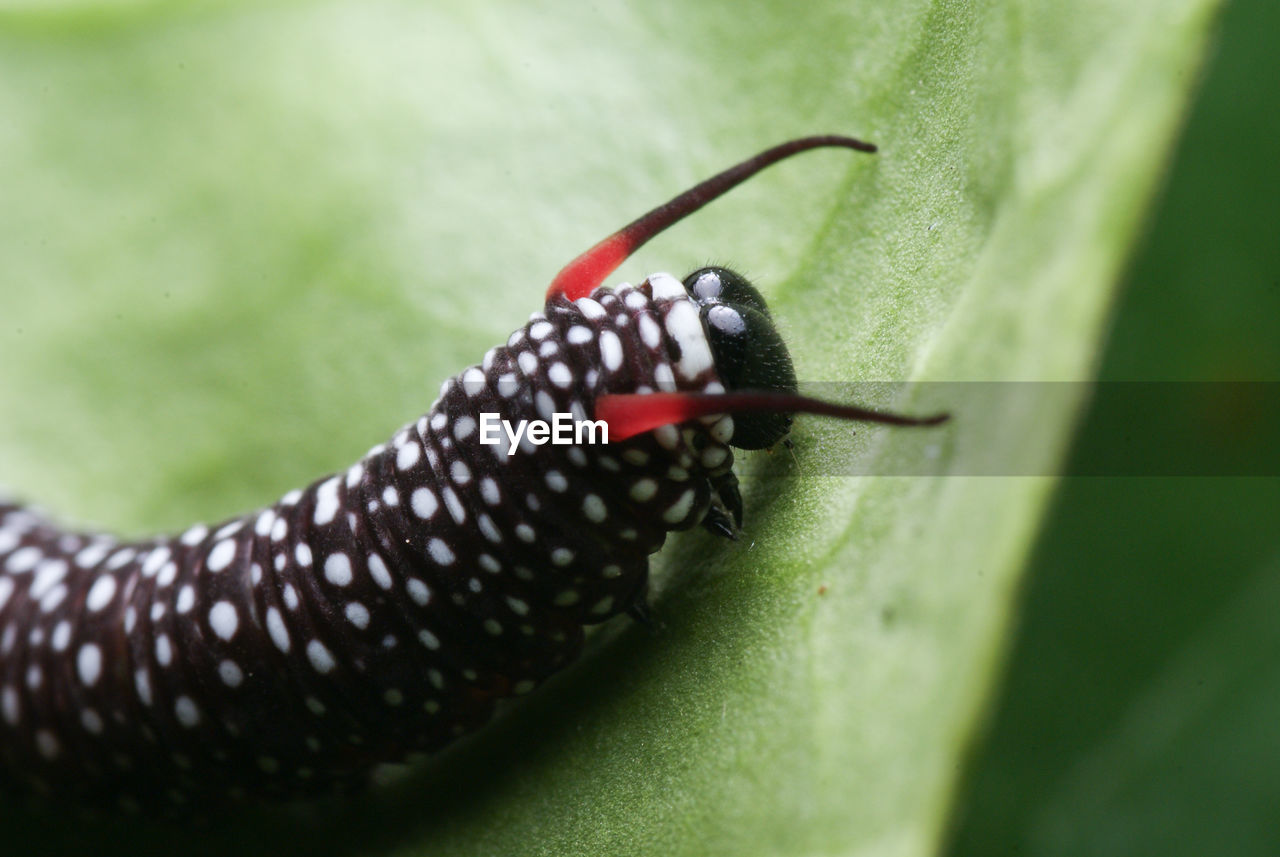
[[1141, 709]]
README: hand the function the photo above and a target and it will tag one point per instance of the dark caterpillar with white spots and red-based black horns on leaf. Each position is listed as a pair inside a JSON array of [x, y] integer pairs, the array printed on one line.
[[385, 611]]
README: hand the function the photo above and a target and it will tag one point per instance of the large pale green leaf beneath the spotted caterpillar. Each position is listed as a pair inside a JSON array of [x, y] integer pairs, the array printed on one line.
[[243, 245]]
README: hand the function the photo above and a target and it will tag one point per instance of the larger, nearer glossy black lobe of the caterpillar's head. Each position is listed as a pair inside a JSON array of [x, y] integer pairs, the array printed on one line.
[[751, 356]]
